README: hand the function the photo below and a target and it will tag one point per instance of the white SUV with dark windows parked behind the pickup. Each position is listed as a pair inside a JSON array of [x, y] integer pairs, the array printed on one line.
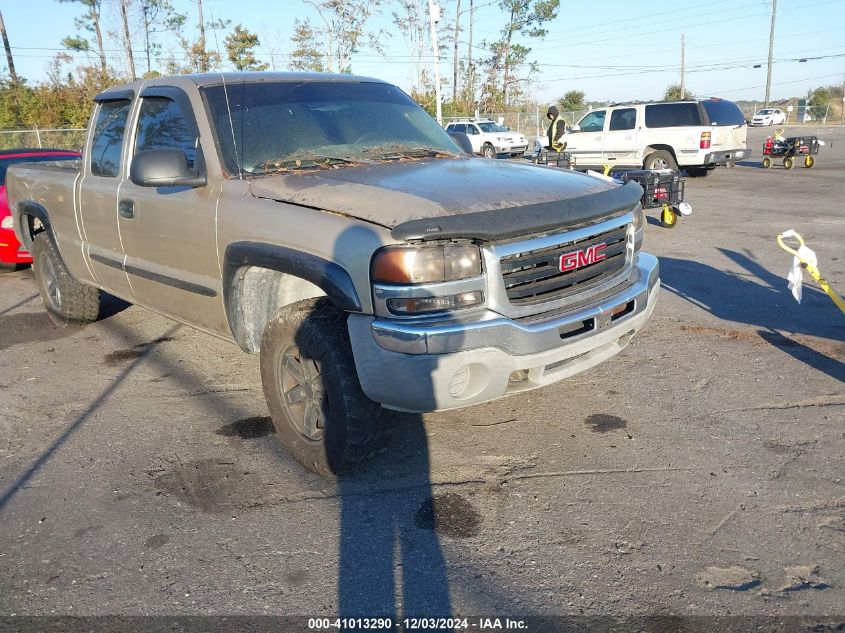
[[691, 135]]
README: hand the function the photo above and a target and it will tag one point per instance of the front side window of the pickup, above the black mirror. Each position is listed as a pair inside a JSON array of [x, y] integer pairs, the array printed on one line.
[[162, 125]]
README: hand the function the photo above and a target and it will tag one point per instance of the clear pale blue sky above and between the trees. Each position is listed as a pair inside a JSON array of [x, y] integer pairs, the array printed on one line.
[[614, 50]]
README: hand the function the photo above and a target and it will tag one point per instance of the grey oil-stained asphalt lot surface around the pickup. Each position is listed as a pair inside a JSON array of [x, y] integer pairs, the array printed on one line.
[[700, 472]]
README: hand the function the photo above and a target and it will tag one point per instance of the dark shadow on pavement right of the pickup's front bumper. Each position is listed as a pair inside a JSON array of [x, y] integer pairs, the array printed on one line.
[[760, 298]]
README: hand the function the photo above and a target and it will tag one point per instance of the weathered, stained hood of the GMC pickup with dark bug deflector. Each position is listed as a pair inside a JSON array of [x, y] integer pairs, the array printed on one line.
[[467, 197]]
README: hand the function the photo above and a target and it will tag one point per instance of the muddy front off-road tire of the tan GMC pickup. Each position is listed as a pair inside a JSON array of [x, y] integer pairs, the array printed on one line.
[[354, 427]]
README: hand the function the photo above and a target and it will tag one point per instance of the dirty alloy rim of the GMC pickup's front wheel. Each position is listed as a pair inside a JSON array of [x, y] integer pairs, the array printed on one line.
[[302, 394]]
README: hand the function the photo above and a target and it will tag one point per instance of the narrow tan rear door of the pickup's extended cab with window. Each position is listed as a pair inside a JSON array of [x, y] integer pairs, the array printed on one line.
[[98, 193]]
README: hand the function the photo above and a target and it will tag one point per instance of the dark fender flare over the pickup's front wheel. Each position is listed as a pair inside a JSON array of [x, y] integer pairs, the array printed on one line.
[[331, 278]]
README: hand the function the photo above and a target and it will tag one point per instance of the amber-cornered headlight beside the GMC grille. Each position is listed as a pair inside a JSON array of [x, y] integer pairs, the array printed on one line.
[[426, 264]]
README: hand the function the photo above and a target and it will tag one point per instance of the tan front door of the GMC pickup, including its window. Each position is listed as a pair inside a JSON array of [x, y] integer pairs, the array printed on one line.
[[168, 233]]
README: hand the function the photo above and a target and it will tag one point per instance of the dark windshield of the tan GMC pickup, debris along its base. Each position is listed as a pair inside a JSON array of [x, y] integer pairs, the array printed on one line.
[[299, 125]]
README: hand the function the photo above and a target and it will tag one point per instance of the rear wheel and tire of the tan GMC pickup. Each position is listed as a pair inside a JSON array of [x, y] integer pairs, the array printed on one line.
[[67, 301]]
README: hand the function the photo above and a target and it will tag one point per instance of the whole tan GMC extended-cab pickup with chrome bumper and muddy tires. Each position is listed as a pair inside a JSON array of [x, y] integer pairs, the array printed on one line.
[[329, 224]]
